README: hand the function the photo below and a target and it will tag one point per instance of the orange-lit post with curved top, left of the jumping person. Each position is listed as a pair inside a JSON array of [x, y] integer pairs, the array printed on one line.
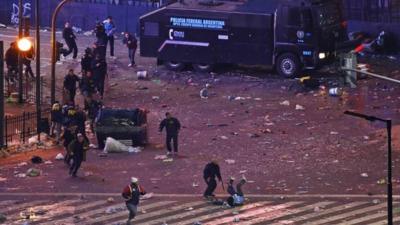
[[53, 51]]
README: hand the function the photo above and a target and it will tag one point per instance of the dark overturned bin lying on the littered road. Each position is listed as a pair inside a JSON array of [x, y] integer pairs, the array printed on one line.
[[122, 124]]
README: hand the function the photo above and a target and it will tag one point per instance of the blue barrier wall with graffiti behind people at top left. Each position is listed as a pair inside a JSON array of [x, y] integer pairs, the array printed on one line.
[[81, 14]]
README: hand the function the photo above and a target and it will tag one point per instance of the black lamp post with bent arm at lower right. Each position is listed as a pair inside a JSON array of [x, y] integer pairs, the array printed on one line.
[[389, 158]]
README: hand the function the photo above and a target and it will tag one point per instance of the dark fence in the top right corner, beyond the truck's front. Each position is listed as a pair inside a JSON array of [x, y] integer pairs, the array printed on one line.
[[379, 11]]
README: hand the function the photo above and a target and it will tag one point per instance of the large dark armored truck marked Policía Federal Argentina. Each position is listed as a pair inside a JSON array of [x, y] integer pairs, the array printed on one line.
[[290, 35]]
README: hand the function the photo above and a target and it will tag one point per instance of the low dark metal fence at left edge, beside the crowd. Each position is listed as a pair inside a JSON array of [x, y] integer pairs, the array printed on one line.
[[18, 129]]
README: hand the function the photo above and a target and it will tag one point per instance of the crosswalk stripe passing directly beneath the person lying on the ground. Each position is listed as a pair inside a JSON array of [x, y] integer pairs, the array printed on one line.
[[228, 212]]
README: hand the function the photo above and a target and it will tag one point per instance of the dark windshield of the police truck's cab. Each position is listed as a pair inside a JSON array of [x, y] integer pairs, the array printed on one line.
[[328, 15]]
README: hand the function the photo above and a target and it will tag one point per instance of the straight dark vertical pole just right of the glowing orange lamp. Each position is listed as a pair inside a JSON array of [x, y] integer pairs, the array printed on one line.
[[37, 44]]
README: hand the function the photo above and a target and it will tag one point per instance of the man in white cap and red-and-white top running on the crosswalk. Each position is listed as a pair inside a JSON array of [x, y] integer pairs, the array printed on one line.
[[131, 194]]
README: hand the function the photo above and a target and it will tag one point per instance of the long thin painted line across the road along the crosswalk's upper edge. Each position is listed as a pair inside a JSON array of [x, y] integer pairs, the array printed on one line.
[[343, 196]]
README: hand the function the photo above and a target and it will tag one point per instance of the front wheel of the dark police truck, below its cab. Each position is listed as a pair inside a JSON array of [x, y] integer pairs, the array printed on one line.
[[288, 65]]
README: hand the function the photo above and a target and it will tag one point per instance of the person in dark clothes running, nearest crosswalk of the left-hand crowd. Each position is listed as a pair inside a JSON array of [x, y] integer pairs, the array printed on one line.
[[77, 148]]
